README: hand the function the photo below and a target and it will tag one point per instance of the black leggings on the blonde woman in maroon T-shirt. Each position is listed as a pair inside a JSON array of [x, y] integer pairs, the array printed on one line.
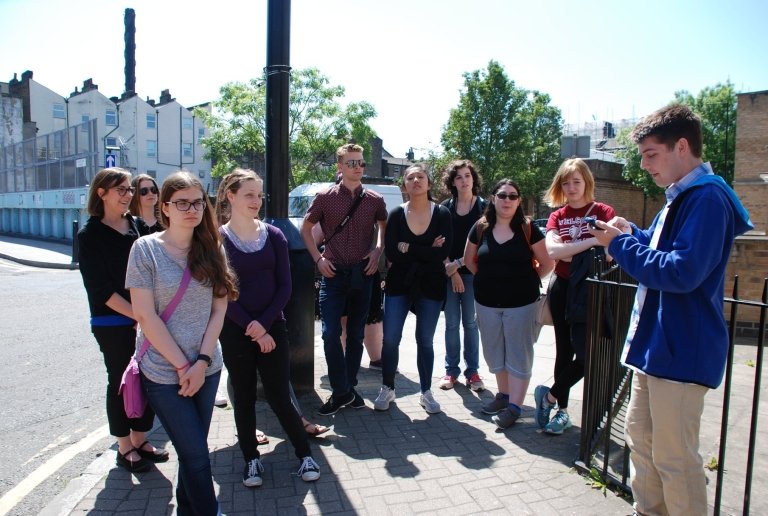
[[570, 344]]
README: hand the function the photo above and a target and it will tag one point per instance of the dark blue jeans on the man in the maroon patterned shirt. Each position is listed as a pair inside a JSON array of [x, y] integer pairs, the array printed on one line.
[[348, 289]]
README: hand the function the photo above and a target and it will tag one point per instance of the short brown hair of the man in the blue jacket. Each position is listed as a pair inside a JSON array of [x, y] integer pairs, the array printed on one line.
[[670, 124]]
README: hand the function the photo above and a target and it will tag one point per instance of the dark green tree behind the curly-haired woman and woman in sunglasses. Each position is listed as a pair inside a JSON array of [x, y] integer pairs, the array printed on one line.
[[505, 130]]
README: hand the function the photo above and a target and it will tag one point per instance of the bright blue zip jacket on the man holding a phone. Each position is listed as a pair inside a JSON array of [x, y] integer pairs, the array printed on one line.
[[682, 333]]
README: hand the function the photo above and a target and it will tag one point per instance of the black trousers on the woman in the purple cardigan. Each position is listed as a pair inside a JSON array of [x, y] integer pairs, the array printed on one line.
[[243, 359]]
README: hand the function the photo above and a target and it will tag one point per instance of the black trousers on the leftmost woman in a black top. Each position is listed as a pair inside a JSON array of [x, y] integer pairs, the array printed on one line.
[[117, 345]]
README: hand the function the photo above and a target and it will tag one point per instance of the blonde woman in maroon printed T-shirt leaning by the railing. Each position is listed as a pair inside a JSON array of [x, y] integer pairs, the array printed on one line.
[[573, 190]]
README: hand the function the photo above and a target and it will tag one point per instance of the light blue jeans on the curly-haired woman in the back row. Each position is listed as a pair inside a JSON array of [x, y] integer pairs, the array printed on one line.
[[460, 309]]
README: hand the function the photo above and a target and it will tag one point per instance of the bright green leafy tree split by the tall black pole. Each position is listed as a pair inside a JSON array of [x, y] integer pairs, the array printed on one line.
[[317, 126]]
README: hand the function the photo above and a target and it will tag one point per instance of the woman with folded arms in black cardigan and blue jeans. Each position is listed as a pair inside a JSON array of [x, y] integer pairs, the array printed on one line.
[[416, 242]]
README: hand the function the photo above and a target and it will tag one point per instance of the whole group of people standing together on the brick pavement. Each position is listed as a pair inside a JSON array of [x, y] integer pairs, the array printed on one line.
[[482, 262]]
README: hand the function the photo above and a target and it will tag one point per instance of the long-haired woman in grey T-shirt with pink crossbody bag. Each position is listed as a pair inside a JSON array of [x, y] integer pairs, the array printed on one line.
[[180, 370]]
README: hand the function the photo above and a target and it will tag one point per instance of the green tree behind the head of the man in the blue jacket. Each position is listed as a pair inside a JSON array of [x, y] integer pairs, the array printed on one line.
[[716, 106]]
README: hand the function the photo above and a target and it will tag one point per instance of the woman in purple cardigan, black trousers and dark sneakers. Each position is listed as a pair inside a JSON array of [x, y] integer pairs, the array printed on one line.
[[254, 337]]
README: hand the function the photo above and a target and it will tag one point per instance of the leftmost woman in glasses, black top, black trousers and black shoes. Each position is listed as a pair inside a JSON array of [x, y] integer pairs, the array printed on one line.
[[105, 242]]
